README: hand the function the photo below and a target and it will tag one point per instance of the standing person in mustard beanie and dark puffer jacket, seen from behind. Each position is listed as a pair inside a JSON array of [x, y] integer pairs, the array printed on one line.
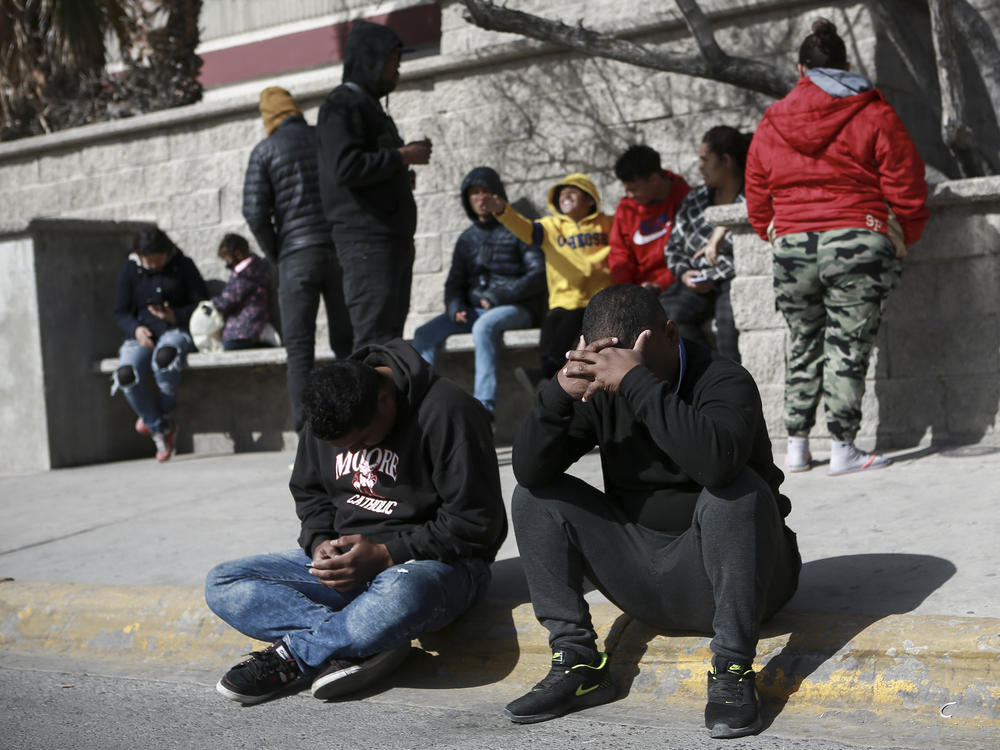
[[281, 203]]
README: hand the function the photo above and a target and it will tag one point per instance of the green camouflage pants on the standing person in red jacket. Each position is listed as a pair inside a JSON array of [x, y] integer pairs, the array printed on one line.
[[830, 287]]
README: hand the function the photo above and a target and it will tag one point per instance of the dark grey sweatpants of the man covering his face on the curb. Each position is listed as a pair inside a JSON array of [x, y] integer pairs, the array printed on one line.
[[732, 569]]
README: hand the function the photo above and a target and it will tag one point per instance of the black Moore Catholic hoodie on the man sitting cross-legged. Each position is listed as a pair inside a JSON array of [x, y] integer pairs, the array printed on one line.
[[429, 491]]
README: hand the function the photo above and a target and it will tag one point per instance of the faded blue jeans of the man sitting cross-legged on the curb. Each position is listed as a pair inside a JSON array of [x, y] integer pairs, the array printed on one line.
[[273, 596]]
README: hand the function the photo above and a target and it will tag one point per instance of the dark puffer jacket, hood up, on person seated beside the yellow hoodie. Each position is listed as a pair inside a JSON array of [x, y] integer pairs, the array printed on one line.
[[490, 263]]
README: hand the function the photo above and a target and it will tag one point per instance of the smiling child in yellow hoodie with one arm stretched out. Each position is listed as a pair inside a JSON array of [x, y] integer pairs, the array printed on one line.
[[574, 239]]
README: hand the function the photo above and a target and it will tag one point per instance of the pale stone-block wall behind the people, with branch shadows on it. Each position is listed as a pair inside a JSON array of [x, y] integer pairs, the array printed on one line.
[[533, 112]]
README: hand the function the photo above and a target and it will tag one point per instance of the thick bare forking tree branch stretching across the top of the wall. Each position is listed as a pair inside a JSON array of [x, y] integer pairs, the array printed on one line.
[[736, 71]]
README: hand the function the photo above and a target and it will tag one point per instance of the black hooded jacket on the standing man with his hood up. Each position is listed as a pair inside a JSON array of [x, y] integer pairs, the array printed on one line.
[[364, 183]]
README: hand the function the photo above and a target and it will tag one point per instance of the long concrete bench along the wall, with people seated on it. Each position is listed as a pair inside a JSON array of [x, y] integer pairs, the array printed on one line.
[[237, 401]]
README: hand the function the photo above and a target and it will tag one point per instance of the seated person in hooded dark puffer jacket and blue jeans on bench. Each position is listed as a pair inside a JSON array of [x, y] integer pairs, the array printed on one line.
[[496, 283]]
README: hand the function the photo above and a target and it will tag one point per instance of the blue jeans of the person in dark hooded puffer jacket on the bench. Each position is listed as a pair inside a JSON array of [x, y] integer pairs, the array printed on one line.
[[487, 328]]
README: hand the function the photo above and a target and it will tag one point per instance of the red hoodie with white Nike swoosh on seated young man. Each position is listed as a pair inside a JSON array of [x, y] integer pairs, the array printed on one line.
[[639, 237]]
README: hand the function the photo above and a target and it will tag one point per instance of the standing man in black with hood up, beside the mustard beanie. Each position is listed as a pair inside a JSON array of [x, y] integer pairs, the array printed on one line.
[[367, 187]]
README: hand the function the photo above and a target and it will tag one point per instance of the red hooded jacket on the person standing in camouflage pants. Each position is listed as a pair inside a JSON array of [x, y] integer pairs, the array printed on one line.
[[819, 162]]
